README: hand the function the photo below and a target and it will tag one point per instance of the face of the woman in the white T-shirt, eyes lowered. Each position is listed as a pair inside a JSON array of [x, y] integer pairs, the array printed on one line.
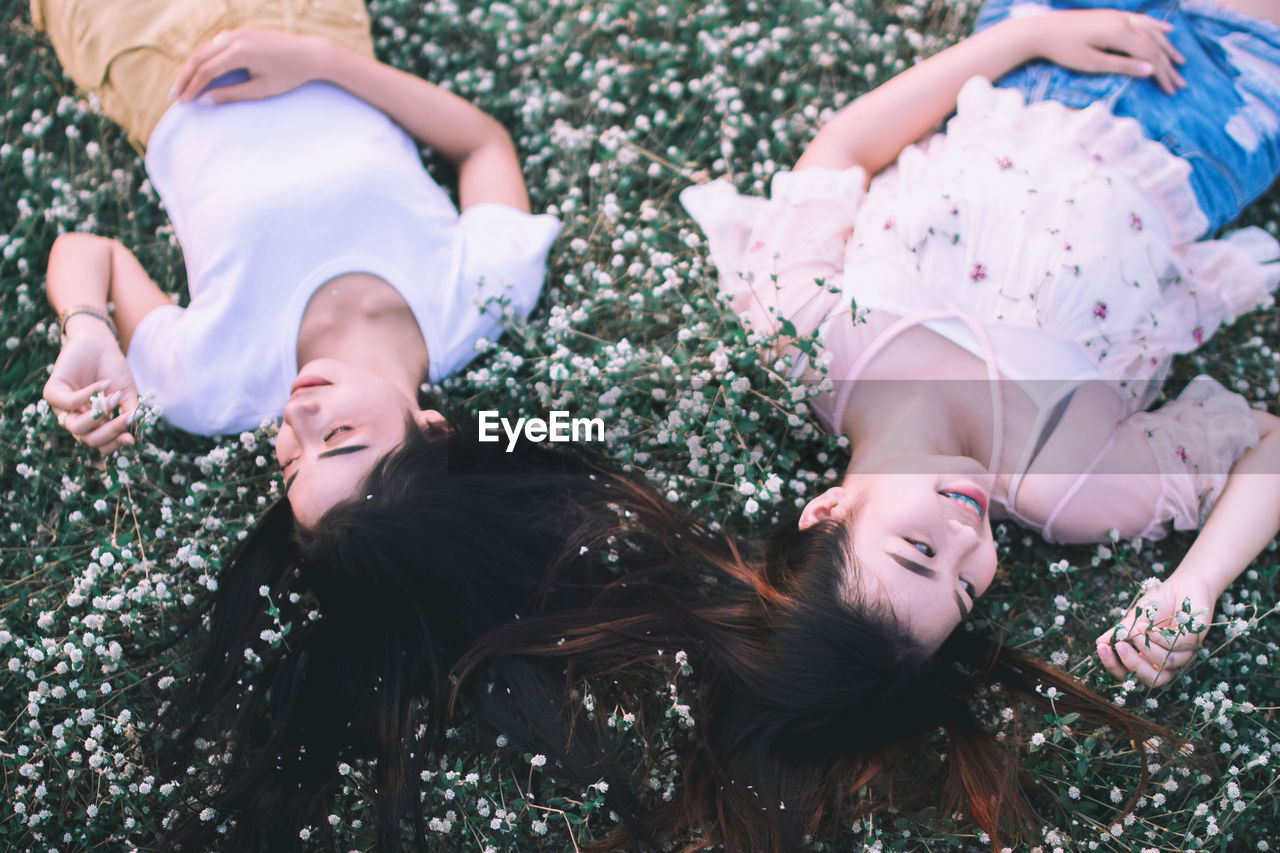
[[340, 421]]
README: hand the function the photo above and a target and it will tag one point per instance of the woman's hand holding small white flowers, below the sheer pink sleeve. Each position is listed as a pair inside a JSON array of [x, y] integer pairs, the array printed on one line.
[[1162, 633]]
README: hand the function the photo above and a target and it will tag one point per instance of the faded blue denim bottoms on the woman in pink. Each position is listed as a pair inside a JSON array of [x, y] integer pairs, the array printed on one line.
[[1226, 124]]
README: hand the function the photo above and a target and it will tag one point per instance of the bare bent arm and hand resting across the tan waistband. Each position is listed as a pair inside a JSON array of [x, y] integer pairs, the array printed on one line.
[[469, 138]]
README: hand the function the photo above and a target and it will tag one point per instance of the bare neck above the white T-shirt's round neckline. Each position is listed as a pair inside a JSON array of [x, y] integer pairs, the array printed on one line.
[[363, 321]]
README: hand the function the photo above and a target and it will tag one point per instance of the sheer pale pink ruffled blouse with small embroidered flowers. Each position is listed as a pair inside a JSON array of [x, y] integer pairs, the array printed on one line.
[[1058, 247]]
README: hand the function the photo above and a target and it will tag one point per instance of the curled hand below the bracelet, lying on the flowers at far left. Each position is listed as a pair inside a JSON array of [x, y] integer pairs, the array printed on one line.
[[90, 381]]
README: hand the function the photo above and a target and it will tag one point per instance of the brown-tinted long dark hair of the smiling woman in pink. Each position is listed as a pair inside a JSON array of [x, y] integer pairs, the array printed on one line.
[[804, 705]]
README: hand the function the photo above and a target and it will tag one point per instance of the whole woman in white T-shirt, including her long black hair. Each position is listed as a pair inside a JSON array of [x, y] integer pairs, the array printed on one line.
[[330, 279]]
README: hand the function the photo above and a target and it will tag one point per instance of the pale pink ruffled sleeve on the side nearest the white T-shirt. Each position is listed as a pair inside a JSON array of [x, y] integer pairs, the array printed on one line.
[[781, 259]]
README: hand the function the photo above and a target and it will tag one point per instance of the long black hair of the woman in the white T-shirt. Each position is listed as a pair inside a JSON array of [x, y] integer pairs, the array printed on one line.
[[446, 540]]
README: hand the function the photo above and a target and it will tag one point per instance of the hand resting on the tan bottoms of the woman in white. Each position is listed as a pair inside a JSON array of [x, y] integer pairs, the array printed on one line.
[[276, 63]]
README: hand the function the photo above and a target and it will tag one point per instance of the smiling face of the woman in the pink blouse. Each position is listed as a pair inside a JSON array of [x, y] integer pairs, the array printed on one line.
[[922, 544]]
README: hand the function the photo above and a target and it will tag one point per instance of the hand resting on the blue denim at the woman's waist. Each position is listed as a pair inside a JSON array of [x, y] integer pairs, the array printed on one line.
[[1109, 42]]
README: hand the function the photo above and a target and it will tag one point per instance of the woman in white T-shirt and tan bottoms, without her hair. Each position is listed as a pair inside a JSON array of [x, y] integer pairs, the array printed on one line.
[[330, 276]]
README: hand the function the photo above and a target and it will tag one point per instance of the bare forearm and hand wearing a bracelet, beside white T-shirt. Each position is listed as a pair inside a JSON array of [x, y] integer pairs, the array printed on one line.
[[88, 272]]
